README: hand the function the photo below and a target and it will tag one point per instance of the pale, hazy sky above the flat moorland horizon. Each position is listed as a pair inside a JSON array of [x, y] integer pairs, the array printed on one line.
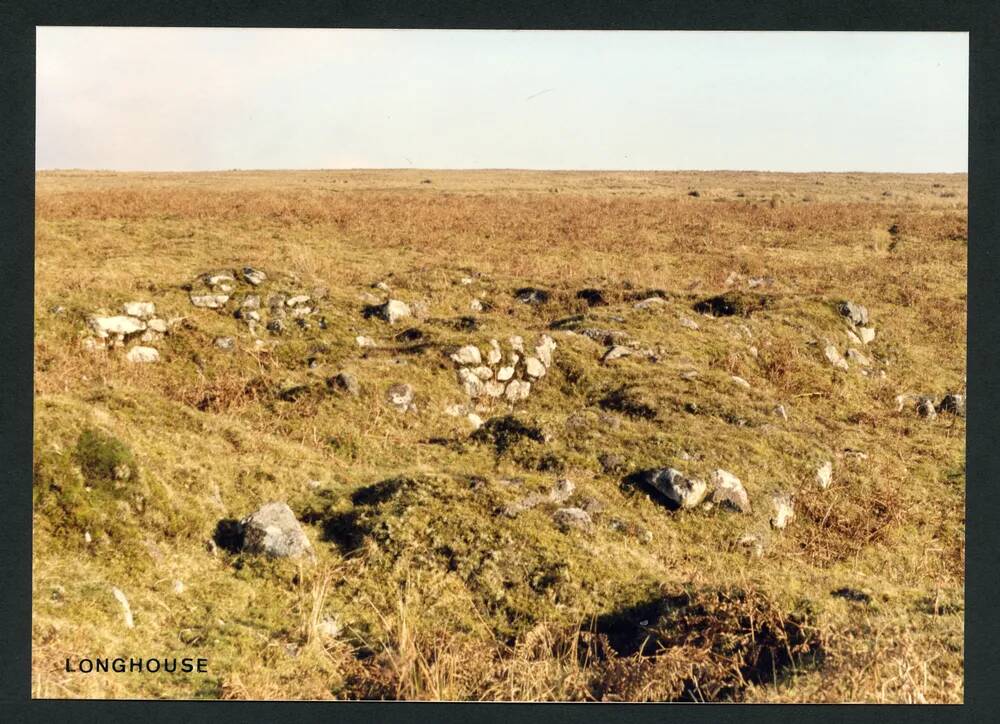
[[193, 99]]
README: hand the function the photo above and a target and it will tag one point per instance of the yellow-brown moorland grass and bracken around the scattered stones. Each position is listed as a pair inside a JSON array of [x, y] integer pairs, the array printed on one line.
[[420, 589]]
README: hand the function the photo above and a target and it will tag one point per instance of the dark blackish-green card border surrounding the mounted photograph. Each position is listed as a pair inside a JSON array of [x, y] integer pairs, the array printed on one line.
[[17, 96]]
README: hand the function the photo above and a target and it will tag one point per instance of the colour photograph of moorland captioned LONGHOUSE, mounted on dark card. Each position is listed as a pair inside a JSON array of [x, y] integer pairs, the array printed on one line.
[[499, 365]]
